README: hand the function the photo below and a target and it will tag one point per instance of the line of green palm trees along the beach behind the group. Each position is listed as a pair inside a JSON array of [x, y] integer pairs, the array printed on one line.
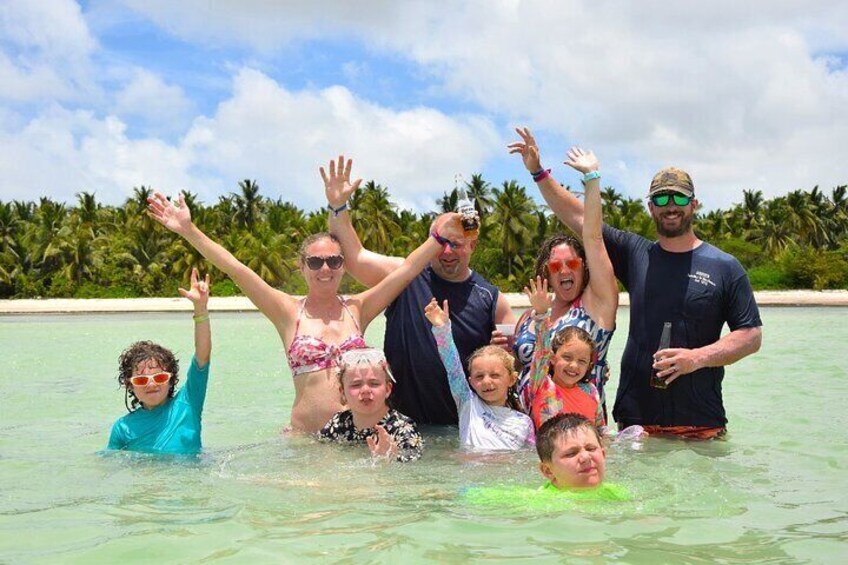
[[86, 250]]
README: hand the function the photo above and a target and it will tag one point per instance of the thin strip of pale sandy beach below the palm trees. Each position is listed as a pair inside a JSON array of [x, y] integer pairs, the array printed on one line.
[[242, 304]]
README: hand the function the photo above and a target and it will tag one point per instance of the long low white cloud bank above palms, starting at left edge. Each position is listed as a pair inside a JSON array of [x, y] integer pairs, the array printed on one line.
[[263, 132]]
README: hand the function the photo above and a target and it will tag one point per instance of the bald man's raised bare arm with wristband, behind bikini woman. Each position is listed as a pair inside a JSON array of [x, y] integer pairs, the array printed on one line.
[[367, 267]]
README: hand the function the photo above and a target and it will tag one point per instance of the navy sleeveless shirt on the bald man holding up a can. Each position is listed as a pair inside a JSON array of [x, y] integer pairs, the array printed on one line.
[[422, 390]]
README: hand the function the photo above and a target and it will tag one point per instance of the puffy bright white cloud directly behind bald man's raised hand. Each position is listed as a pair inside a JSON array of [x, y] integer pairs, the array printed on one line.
[[280, 138]]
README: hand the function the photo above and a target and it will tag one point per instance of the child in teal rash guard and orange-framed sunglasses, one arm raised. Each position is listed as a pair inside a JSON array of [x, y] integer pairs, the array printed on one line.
[[159, 420]]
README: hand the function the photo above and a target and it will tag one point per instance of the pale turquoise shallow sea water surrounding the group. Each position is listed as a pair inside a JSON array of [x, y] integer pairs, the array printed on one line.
[[775, 491]]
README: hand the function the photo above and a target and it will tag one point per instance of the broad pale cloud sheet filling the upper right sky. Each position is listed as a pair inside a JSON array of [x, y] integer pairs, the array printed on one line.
[[740, 92]]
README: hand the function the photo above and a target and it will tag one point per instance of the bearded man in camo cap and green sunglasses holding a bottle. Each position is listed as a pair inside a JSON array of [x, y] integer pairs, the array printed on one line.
[[687, 282]]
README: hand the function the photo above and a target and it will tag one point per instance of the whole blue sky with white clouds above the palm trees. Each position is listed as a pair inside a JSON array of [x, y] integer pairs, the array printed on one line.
[[102, 96]]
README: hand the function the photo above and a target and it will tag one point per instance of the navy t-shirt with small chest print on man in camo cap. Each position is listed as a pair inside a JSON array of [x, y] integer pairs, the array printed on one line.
[[697, 291]]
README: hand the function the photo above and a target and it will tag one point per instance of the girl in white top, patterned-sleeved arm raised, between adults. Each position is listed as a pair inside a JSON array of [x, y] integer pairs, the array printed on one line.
[[486, 419]]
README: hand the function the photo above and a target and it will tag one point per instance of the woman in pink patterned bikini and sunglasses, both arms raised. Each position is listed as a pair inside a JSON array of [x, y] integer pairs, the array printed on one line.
[[316, 329]]
